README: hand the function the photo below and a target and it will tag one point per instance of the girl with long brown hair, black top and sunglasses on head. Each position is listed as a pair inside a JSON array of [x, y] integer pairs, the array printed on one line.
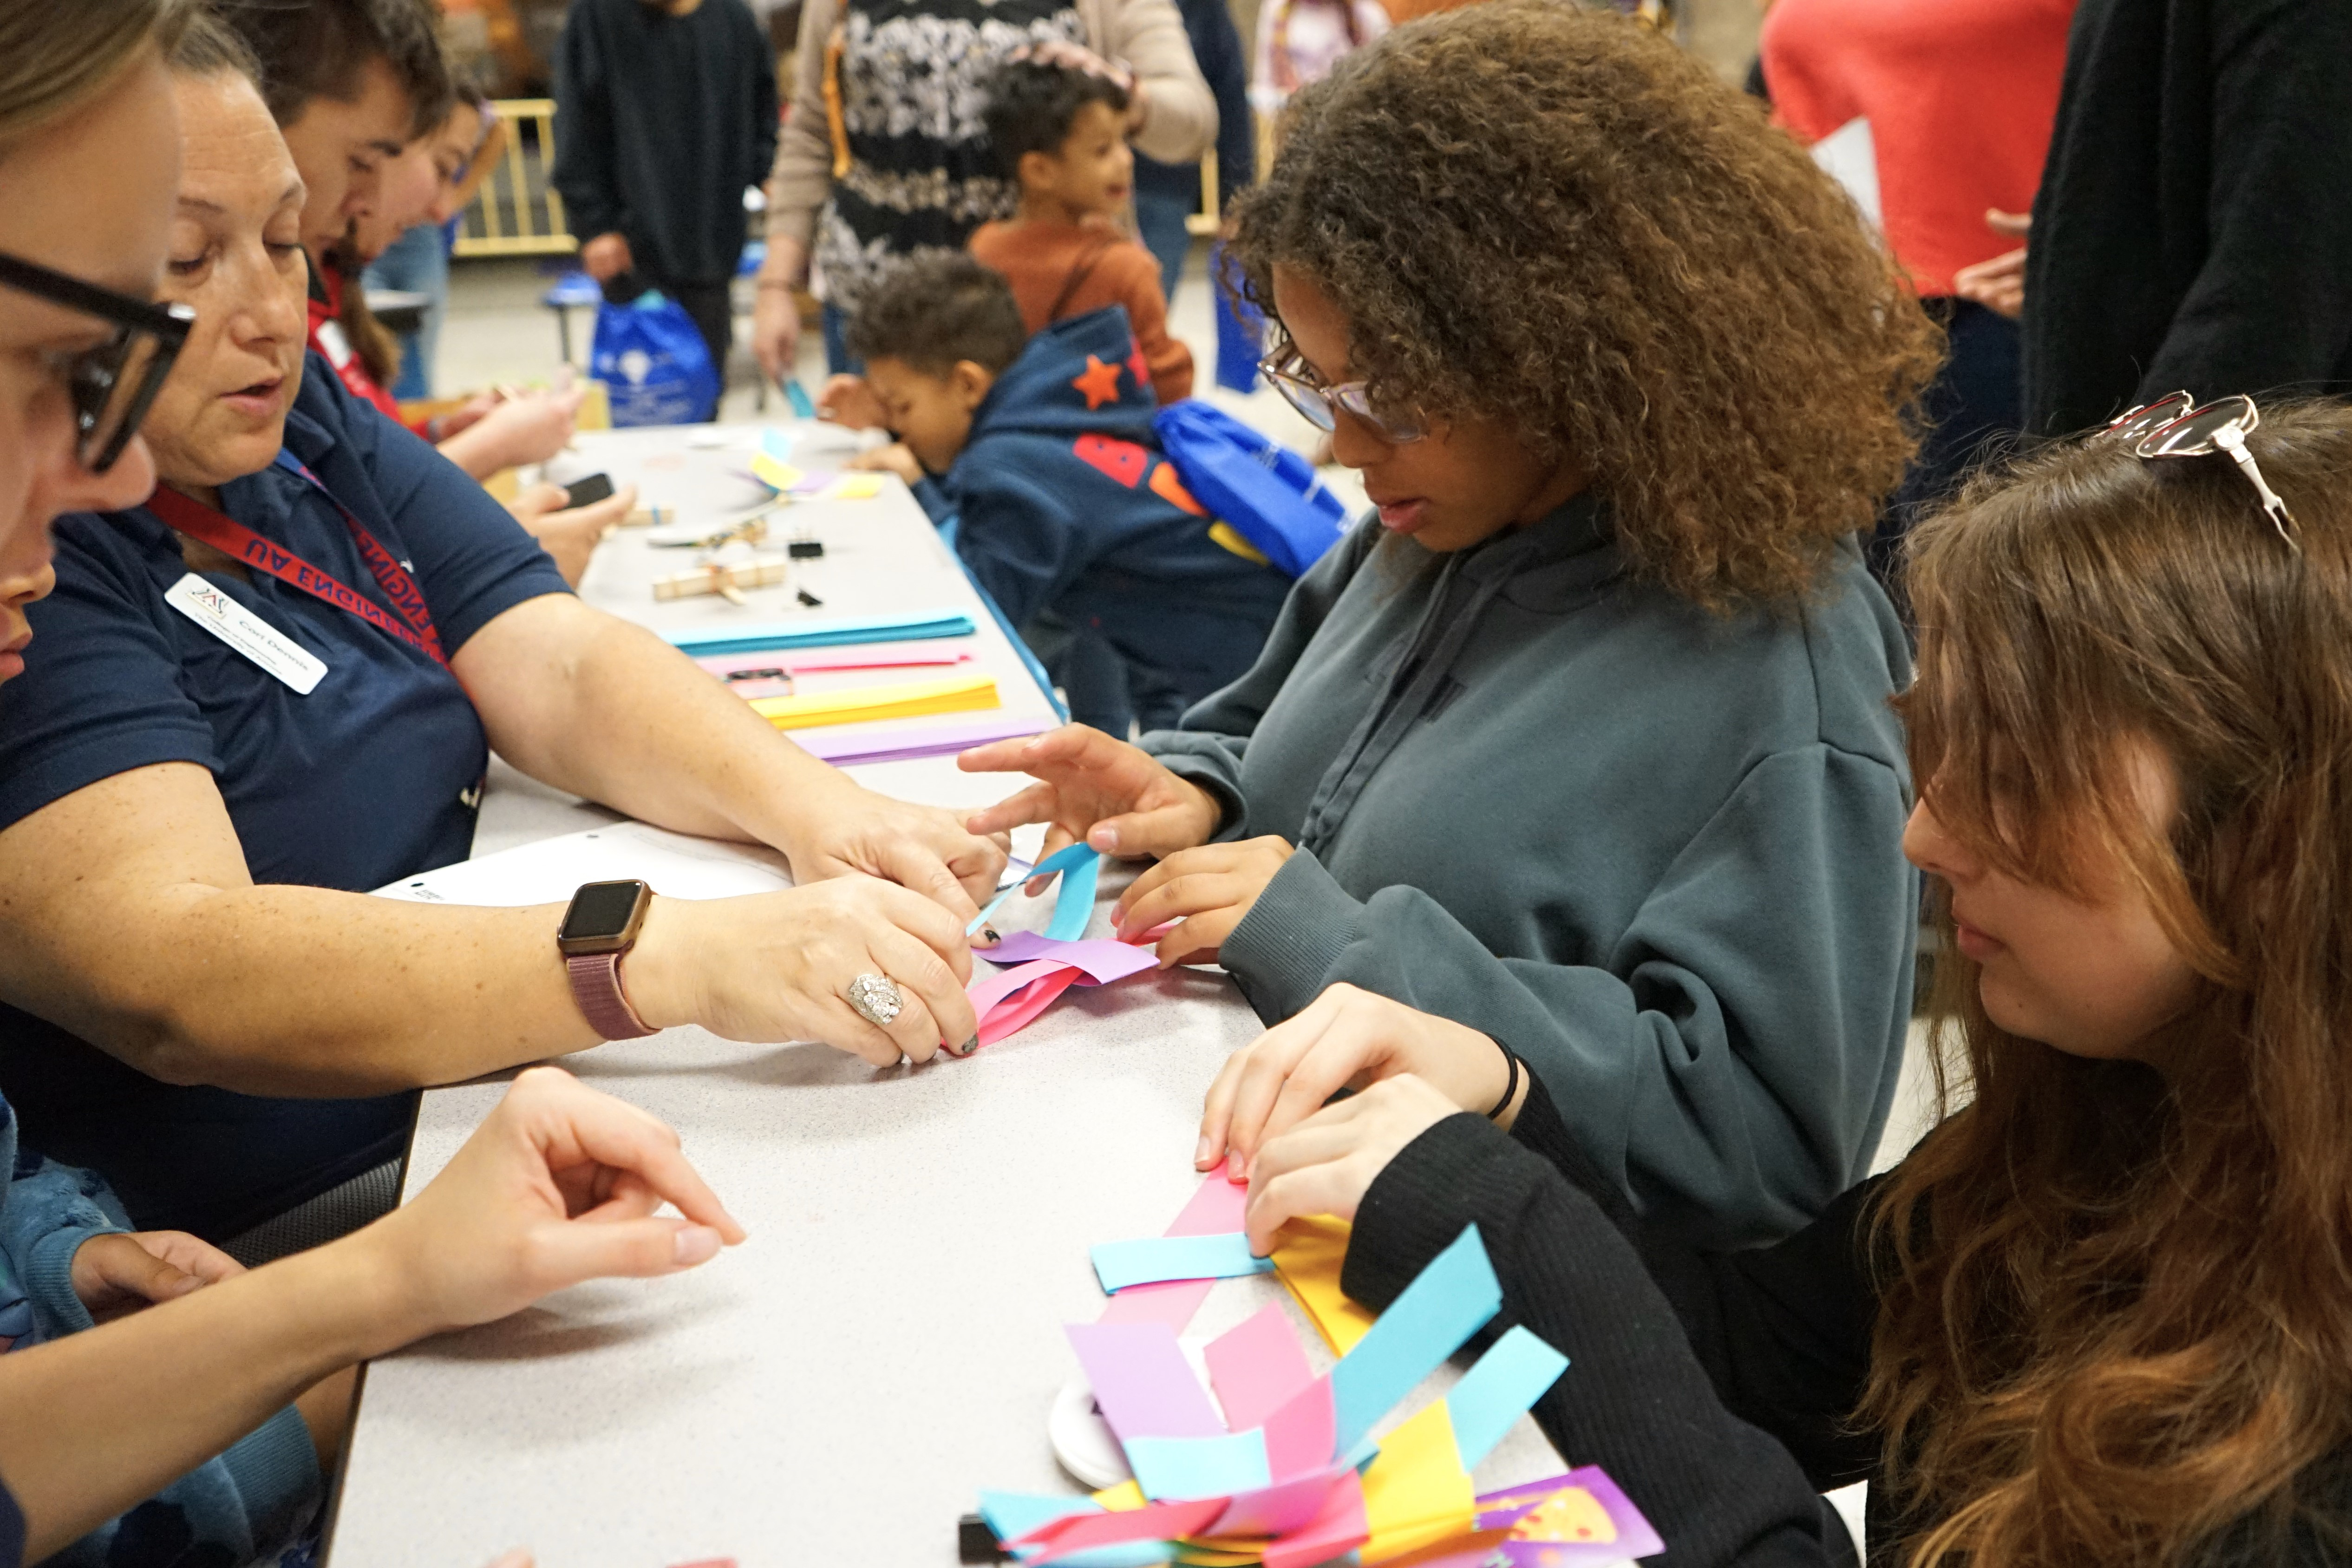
[[2104, 1313]]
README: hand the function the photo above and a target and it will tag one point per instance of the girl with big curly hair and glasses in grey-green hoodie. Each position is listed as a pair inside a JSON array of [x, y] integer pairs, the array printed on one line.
[[1582, 739]]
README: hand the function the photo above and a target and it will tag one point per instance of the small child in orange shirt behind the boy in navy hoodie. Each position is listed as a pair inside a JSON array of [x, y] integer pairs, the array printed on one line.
[[1062, 135]]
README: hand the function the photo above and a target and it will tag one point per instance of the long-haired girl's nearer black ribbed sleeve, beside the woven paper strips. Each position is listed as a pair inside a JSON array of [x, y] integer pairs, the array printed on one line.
[[1636, 1400]]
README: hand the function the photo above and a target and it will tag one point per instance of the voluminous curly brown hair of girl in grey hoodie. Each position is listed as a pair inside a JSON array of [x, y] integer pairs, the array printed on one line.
[[1561, 222]]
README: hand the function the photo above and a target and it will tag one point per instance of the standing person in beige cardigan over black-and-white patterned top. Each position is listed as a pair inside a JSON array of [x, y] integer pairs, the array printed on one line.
[[886, 154]]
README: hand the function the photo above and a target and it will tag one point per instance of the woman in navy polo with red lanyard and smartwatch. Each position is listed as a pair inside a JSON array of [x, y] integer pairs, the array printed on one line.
[[276, 685]]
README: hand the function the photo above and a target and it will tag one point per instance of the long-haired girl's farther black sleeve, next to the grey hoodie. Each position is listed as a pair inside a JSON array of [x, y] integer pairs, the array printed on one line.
[[1784, 1332]]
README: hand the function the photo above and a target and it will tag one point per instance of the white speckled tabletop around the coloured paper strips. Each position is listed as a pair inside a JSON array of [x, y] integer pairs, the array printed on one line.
[[888, 1341]]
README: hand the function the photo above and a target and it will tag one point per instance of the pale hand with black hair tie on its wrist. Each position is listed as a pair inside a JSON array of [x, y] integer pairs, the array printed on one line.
[[1344, 1040]]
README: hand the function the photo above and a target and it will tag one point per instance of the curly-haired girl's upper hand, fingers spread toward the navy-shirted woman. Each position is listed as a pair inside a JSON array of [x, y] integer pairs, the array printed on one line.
[[1109, 793]]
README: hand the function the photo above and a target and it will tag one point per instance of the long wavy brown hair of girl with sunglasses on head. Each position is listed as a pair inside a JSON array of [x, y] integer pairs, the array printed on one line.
[[2118, 1313]]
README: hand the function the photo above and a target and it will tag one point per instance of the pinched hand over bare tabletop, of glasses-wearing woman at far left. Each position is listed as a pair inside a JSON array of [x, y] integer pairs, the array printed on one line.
[[559, 1186]]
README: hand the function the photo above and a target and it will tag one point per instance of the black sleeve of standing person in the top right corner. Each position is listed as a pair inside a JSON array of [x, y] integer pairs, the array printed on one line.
[[2273, 302]]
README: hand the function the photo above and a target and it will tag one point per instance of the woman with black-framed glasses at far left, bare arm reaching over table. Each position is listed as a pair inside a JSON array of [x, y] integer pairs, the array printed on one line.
[[147, 1365]]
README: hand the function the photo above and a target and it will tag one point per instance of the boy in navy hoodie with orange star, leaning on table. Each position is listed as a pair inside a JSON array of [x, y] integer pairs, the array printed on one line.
[[1038, 453]]
